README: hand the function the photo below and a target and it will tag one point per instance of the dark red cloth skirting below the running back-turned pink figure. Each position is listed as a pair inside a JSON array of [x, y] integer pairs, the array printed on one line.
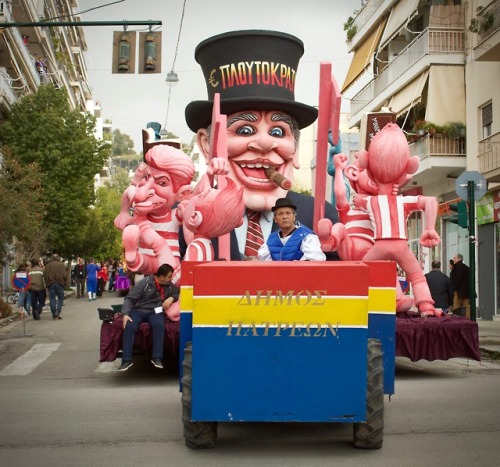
[[435, 338]]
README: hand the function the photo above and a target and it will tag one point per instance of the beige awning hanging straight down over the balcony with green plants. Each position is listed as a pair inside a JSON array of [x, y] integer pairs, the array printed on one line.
[[446, 95]]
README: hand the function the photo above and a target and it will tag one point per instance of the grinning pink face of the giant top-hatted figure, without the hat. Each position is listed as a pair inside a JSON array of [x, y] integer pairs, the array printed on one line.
[[257, 140]]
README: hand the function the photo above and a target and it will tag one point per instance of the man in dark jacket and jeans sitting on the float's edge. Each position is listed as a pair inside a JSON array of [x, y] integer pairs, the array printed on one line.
[[148, 301]]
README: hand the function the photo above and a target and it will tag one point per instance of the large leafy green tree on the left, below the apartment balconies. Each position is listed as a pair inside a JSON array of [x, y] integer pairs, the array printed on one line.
[[43, 129]]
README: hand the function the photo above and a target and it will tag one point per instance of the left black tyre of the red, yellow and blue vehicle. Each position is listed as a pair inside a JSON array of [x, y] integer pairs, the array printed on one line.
[[197, 435]]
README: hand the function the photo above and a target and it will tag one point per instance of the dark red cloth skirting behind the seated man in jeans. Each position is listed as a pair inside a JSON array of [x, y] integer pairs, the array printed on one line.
[[112, 337]]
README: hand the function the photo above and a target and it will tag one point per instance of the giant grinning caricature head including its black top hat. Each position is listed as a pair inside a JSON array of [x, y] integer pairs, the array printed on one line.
[[254, 72]]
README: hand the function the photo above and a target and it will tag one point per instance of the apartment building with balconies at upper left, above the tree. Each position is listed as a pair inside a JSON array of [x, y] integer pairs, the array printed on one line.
[[32, 55]]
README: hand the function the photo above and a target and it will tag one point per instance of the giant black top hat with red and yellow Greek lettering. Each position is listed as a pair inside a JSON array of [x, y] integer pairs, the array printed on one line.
[[252, 69]]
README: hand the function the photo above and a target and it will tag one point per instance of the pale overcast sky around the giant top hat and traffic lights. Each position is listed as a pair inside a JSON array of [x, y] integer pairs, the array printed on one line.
[[131, 101]]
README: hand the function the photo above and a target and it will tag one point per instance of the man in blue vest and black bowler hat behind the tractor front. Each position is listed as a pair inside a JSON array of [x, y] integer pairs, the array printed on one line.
[[292, 241]]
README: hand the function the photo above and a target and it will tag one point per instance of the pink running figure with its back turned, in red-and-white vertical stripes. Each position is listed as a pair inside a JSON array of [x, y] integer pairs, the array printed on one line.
[[388, 164]]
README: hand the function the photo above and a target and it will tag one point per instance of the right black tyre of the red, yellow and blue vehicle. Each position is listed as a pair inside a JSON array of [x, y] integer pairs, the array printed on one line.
[[370, 434]]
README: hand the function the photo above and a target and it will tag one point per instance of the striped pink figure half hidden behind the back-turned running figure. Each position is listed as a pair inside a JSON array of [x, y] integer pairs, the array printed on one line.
[[352, 237]]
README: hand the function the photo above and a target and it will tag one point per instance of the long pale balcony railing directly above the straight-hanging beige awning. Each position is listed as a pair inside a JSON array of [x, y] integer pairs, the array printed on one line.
[[431, 41]]
